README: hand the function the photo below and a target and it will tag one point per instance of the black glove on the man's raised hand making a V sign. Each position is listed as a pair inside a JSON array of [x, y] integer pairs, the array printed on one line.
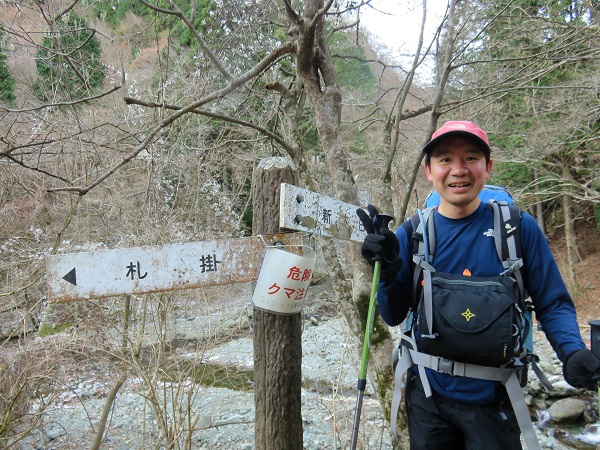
[[380, 244]]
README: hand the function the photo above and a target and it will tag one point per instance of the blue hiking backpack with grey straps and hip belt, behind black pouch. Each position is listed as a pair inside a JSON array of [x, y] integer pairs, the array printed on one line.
[[420, 228]]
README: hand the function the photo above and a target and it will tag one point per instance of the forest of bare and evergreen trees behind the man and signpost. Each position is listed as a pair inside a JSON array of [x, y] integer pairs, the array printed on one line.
[[130, 122]]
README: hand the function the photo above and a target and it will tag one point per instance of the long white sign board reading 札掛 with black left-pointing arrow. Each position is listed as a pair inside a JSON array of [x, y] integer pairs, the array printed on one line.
[[136, 270]]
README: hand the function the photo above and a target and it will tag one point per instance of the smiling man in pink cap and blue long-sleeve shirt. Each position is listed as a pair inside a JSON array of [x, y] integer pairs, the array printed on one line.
[[463, 412]]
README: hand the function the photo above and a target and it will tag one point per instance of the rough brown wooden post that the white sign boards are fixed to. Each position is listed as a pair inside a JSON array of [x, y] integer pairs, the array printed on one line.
[[277, 337]]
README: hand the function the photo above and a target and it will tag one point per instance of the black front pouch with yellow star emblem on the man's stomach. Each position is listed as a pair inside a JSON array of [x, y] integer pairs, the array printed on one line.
[[474, 320]]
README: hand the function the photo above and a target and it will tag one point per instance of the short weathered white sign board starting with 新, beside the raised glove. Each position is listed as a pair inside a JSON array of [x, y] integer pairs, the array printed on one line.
[[304, 210]]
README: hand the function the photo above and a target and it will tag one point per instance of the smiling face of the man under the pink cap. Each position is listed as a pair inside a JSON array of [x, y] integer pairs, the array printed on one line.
[[458, 171]]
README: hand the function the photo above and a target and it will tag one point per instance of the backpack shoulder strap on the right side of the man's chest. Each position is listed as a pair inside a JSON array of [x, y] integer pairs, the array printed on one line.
[[507, 236]]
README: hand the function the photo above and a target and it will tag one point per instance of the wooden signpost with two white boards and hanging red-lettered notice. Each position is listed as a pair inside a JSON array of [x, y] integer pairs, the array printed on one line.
[[277, 204]]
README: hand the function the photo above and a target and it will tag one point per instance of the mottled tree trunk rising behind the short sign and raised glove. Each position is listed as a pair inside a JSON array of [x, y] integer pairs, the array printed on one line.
[[316, 70]]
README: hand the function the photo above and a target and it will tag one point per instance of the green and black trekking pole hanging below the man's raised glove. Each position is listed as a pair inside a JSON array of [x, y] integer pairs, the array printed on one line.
[[362, 376]]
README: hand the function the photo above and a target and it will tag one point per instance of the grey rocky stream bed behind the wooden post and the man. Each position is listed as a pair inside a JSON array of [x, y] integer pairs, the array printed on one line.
[[222, 417]]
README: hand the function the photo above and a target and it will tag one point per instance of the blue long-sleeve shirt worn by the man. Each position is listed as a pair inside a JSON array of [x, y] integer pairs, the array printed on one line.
[[468, 243]]
